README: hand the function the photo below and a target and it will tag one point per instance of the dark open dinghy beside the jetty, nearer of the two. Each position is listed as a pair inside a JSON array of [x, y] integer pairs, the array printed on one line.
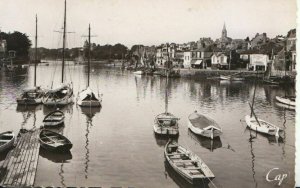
[[53, 141]]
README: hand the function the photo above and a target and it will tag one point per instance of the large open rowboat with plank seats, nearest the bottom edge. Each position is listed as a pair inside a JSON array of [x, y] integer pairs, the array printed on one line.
[[187, 164]]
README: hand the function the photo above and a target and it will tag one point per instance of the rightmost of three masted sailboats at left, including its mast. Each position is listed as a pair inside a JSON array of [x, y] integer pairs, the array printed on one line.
[[87, 98]]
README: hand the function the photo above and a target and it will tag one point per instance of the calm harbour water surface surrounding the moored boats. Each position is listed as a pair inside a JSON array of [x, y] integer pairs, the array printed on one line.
[[116, 146]]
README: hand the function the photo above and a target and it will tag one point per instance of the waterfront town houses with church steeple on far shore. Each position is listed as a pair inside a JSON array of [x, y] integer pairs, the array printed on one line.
[[259, 53]]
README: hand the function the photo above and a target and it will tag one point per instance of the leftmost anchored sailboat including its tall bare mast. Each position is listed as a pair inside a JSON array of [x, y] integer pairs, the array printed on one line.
[[32, 96]]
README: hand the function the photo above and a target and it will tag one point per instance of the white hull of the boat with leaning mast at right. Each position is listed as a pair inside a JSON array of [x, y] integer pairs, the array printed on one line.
[[262, 126]]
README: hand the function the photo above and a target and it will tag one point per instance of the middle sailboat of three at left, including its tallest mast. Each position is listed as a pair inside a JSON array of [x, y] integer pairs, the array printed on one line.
[[63, 94]]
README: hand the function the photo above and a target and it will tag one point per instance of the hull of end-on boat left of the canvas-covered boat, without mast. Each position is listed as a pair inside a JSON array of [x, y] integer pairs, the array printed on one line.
[[166, 124]]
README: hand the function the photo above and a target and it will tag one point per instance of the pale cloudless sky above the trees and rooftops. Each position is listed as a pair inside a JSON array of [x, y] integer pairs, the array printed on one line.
[[148, 22]]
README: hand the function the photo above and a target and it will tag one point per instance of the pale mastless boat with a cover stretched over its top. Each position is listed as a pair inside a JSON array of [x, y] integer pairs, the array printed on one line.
[[204, 126]]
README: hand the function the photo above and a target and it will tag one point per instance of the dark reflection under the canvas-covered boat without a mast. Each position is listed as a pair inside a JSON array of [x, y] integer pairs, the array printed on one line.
[[210, 144]]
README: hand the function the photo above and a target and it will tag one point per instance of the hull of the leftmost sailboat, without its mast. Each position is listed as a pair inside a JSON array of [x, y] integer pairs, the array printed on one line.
[[31, 96]]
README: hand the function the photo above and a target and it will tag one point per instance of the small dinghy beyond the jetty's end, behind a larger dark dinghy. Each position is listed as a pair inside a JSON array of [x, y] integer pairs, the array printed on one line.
[[54, 119]]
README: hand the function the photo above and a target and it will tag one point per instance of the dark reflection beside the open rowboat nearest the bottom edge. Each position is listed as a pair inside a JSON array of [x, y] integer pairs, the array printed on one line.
[[180, 181]]
